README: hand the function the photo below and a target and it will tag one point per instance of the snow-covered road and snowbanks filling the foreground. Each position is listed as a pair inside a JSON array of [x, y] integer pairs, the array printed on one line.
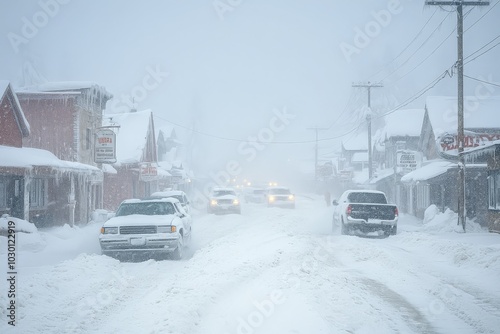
[[269, 270]]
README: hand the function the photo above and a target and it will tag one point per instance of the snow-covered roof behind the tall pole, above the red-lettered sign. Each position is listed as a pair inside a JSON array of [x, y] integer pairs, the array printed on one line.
[[479, 113]]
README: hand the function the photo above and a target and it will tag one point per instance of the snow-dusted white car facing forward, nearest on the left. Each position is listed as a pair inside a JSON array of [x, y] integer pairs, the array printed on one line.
[[153, 226]]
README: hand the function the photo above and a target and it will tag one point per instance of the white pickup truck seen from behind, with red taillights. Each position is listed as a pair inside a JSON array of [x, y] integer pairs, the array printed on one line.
[[365, 211]]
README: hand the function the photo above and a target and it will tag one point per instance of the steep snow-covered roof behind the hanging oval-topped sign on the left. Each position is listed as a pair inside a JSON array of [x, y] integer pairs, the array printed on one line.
[[132, 134]]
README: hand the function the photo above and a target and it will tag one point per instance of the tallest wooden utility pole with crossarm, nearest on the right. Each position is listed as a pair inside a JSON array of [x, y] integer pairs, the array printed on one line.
[[460, 97]]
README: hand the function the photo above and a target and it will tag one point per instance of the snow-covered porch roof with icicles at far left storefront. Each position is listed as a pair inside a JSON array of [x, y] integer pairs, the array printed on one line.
[[27, 157]]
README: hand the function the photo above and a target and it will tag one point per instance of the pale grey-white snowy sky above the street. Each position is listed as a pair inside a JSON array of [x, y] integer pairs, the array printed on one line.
[[230, 73]]
